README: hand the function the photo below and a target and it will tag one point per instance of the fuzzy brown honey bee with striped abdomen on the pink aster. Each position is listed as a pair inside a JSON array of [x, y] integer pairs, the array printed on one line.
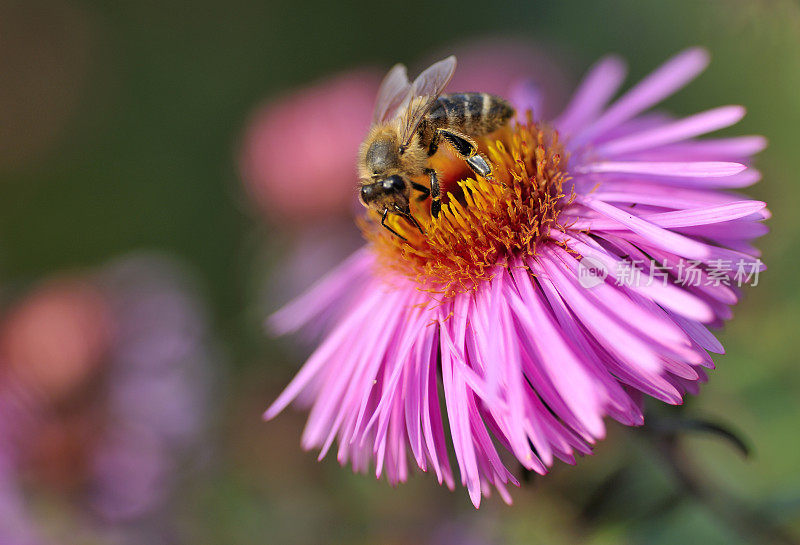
[[409, 123]]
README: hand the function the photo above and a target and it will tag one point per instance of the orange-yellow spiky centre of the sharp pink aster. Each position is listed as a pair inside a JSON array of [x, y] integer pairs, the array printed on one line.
[[483, 221]]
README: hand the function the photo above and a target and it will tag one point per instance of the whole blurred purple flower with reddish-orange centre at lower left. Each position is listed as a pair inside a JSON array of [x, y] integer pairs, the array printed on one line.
[[123, 432]]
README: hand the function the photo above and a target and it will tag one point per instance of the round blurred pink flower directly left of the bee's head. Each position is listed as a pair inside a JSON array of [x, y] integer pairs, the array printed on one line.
[[298, 153]]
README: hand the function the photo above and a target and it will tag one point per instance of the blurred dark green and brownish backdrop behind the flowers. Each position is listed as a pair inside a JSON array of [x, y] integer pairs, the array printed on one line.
[[119, 124]]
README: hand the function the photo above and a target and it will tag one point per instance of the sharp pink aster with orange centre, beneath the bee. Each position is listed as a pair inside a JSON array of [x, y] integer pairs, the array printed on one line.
[[541, 302]]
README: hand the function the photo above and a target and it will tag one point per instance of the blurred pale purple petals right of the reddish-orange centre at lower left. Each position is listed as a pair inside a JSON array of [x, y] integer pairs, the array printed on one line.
[[157, 385]]
